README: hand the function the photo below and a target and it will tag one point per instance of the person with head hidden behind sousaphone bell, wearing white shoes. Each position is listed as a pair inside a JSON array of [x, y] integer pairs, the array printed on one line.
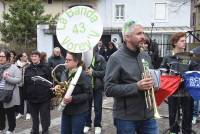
[[97, 72]]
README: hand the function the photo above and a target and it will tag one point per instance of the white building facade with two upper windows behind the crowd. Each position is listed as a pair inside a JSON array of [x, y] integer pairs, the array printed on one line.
[[161, 18]]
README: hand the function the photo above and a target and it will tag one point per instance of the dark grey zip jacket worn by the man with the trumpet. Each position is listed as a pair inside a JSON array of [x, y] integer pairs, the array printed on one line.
[[123, 71]]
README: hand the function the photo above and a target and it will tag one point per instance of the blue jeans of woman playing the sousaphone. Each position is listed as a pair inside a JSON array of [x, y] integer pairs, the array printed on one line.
[[73, 124]]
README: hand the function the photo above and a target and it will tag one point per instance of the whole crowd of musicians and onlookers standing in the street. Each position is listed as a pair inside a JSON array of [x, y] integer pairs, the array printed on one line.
[[117, 72]]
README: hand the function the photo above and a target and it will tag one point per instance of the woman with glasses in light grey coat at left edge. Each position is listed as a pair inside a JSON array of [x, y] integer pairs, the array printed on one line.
[[9, 76]]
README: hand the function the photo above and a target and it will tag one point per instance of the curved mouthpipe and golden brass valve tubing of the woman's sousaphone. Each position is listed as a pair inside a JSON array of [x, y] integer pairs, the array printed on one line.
[[60, 88]]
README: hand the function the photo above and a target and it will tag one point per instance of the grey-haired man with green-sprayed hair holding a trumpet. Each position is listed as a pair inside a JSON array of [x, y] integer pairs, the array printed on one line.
[[124, 82]]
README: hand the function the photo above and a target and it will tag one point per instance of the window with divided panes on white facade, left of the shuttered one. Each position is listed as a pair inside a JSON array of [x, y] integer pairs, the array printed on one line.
[[120, 12]]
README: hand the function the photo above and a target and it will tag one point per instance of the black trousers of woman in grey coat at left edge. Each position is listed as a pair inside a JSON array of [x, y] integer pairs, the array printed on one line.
[[10, 113]]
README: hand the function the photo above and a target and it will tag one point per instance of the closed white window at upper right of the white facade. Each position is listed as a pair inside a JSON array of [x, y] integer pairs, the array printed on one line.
[[160, 11]]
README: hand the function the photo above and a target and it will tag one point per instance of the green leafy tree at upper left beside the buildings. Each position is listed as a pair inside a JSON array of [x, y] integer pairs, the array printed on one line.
[[20, 23]]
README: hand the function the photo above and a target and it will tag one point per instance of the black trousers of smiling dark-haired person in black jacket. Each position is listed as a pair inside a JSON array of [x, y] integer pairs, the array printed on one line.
[[44, 110]]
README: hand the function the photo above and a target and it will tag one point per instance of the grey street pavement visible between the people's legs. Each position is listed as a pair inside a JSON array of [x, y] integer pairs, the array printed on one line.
[[24, 126]]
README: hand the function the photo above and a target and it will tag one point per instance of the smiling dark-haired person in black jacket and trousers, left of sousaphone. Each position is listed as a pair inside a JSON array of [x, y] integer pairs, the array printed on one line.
[[38, 93]]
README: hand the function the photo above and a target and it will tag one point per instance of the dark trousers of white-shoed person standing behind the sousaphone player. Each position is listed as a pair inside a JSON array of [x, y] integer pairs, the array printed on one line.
[[97, 97]]
